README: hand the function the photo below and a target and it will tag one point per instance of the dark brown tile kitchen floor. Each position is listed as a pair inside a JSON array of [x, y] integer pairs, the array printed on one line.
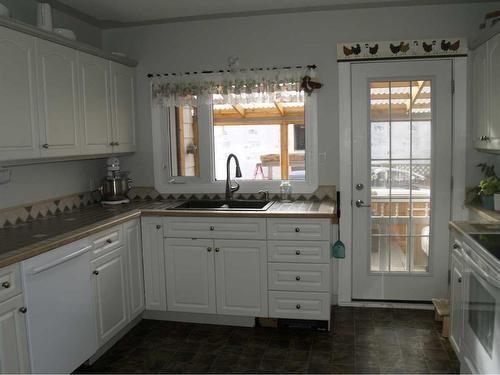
[[363, 340]]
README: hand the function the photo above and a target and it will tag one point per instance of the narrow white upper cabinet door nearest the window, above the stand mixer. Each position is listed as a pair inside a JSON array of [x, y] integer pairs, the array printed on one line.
[[123, 86]]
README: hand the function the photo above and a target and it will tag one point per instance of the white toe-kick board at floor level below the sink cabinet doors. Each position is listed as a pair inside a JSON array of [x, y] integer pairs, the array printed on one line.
[[227, 320]]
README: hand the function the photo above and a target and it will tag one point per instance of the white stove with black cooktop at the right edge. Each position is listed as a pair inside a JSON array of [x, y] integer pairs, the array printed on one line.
[[481, 337]]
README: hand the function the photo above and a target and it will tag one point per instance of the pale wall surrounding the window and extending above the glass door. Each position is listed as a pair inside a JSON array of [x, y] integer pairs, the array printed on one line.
[[286, 39]]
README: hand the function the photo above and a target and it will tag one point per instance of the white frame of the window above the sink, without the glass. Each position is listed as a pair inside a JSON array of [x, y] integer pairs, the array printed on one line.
[[165, 183]]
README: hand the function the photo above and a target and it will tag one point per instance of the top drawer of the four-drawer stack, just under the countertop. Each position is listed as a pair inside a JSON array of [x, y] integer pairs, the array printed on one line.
[[292, 229]]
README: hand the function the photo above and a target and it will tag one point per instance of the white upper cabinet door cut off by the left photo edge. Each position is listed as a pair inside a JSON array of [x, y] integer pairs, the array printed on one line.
[[18, 117]]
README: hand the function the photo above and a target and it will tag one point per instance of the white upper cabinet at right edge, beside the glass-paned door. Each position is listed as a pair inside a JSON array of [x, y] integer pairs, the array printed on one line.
[[486, 95]]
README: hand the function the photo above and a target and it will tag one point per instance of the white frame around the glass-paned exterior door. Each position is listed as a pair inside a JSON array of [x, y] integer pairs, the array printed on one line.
[[459, 148]]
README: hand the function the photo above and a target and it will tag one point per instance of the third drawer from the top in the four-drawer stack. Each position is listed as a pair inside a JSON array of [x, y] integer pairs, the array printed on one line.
[[299, 277]]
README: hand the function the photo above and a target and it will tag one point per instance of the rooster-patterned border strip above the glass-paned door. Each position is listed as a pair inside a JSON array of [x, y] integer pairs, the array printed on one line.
[[400, 49]]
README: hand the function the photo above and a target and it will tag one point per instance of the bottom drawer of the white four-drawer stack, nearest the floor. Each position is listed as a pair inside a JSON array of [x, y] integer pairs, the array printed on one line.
[[299, 305]]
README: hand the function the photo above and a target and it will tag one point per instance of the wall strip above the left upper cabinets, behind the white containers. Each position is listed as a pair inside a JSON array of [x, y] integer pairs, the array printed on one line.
[[25, 10]]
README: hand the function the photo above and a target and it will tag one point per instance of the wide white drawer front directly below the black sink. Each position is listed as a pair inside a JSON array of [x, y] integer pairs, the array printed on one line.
[[212, 227]]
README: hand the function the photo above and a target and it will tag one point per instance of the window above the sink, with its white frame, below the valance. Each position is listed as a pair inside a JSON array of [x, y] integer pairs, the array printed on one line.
[[273, 134]]
